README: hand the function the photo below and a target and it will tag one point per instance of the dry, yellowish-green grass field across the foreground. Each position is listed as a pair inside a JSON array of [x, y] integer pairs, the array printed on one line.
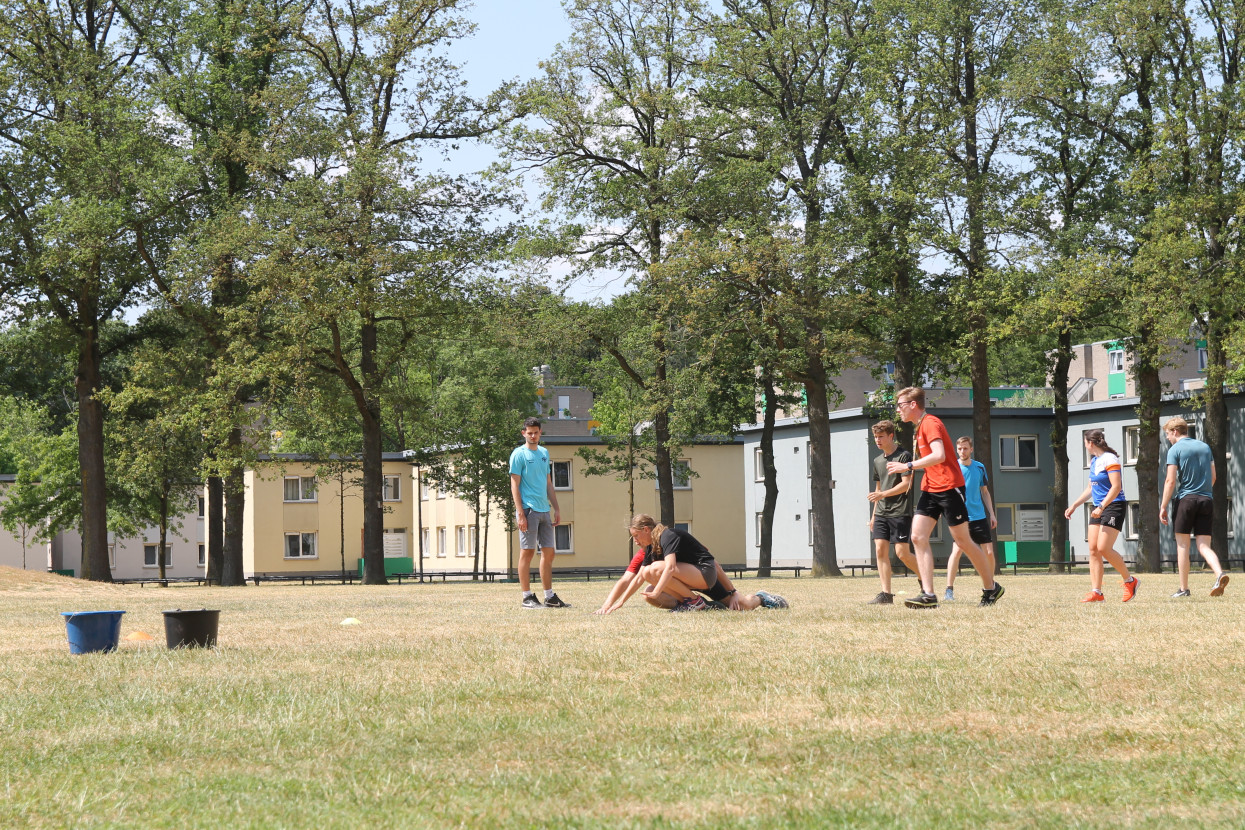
[[450, 706]]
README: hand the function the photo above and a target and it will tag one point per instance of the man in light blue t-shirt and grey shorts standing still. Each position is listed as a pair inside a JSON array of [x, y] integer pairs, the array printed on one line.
[[532, 491]]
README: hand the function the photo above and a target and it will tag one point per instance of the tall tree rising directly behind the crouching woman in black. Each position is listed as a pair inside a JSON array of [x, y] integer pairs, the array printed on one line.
[[611, 139]]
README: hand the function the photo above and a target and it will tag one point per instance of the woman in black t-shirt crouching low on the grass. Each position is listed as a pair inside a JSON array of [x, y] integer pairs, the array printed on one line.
[[677, 566]]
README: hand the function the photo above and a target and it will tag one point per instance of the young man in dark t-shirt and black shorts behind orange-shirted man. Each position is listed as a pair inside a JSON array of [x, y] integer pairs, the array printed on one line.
[[891, 523]]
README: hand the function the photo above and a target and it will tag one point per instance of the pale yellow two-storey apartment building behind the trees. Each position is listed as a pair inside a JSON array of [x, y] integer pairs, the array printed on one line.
[[294, 516]]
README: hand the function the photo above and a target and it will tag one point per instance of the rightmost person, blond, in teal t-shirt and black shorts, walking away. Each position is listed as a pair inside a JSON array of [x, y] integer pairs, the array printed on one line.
[[1191, 478]]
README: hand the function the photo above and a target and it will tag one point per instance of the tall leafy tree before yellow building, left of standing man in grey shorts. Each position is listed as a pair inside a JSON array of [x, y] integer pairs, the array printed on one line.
[[368, 256]]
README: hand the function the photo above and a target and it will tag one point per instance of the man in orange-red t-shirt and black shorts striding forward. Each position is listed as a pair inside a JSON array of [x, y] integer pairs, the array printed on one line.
[[942, 493]]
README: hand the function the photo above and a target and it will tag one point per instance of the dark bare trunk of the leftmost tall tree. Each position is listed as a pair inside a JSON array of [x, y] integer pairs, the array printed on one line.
[[90, 430]]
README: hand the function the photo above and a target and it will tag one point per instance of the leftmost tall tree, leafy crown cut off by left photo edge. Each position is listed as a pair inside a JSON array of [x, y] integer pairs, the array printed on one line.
[[85, 165]]
